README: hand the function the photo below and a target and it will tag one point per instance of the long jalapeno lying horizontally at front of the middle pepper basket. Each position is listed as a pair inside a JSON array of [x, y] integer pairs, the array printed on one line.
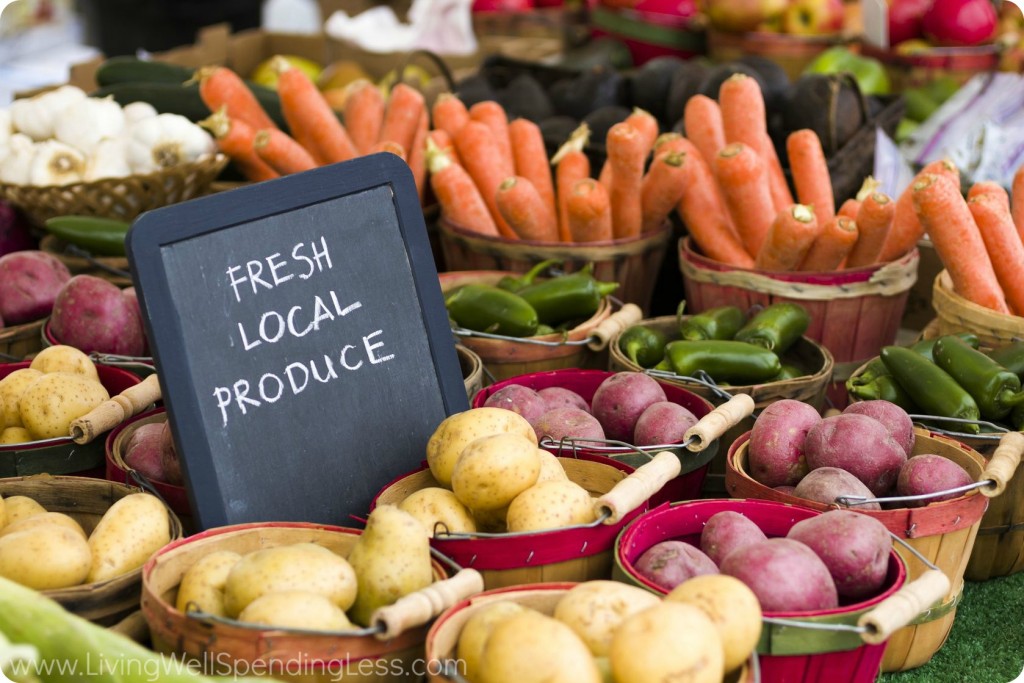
[[726, 361]]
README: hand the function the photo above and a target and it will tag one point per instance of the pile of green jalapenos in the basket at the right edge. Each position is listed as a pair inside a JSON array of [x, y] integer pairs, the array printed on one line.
[[949, 377]]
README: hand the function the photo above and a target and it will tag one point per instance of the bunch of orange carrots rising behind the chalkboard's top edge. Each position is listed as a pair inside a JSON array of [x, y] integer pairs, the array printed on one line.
[[262, 151]]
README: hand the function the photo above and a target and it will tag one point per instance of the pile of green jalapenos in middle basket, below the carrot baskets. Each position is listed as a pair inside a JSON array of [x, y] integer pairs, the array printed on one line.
[[724, 344]]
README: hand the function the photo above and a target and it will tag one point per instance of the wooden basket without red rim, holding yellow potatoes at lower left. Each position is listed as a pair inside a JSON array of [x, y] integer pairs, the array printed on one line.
[[87, 500]]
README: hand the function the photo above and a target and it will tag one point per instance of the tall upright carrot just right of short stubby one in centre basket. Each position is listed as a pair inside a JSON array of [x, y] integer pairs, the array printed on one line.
[[627, 152]]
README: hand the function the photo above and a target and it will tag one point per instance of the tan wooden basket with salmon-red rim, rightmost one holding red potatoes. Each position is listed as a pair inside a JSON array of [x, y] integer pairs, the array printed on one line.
[[945, 533]]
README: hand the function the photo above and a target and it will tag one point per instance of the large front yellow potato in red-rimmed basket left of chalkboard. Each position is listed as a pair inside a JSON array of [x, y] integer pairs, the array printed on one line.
[[49, 405]]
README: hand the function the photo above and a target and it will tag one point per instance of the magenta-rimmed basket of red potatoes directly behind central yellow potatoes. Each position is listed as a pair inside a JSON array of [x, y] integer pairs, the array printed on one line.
[[585, 382]]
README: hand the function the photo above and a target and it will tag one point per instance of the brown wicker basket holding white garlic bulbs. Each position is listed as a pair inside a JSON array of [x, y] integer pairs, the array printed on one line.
[[116, 198]]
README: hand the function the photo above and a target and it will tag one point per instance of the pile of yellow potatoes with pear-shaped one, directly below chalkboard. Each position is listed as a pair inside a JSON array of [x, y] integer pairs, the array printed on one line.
[[308, 586]]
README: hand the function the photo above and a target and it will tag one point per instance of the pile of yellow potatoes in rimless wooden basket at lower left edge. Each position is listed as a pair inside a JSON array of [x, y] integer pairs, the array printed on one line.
[[51, 550]]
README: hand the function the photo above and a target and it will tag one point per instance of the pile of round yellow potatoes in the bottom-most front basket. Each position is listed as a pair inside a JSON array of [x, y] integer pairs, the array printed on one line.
[[606, 631]]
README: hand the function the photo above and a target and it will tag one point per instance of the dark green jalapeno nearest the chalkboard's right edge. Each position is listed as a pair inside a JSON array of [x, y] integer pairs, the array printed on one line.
[[487, 309]]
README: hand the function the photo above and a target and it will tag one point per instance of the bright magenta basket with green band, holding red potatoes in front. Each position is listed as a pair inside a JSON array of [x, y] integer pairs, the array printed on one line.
[[786, 654]]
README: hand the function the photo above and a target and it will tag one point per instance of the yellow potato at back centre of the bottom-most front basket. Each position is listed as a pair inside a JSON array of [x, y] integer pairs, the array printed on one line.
[[595, 609]]
